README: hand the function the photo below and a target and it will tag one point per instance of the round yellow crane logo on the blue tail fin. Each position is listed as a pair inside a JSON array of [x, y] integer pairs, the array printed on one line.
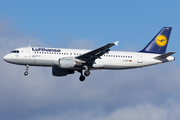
[[161, 40]]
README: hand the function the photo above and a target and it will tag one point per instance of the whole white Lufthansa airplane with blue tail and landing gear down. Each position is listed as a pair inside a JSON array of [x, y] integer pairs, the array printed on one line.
[[67, 61]]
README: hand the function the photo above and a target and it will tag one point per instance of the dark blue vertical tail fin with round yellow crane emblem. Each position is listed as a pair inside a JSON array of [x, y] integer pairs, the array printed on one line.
[[159, 43]]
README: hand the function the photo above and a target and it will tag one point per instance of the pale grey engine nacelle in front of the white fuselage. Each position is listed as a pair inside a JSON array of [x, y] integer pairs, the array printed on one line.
[[66, 63]]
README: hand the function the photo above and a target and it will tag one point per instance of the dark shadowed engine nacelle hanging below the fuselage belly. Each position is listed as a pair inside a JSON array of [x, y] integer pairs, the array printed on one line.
[[61, 72]]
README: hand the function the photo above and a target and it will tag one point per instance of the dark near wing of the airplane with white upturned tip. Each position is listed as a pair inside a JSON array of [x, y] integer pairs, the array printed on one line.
[[91, 56]]
